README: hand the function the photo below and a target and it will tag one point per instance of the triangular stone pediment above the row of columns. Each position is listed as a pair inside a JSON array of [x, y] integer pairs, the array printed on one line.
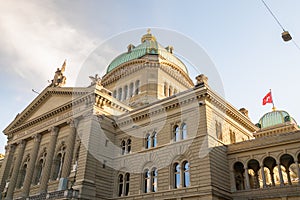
[[48, 100]]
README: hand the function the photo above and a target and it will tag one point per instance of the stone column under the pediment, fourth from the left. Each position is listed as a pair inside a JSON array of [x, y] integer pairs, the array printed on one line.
[[49, 158]]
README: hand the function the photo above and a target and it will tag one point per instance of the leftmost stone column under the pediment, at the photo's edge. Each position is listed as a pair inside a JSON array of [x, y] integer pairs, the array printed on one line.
[[6, 165]]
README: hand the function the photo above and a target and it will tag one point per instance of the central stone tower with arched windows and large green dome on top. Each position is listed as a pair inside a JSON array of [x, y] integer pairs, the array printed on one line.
[[146, 73]]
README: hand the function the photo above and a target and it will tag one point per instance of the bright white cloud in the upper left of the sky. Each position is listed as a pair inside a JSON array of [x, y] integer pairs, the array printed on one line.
[[35, 39]]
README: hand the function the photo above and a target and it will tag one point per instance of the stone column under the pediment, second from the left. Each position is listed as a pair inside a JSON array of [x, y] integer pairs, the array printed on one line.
[[17, 164]]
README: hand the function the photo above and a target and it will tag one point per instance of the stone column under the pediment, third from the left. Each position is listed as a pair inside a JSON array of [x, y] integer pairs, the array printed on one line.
[[31, 165]]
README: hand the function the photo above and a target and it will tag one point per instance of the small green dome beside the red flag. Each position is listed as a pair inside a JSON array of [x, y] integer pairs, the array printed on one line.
[[275, 118]]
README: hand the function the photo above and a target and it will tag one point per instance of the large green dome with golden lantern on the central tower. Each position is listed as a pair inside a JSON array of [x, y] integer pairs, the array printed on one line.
[[149, 46]]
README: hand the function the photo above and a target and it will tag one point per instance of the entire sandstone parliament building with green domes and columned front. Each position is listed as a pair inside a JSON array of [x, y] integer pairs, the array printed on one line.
[[146, 130]]
